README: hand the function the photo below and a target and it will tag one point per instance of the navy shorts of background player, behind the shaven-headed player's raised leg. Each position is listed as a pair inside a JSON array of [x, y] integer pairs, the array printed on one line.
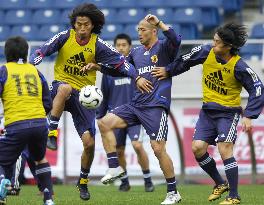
[[133, 132]]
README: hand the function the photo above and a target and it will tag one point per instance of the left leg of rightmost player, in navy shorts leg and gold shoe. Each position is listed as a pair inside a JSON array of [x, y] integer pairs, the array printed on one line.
[[205, 133]]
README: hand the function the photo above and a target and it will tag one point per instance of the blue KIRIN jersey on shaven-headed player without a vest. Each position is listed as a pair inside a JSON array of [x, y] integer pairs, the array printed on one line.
[[161, 53]]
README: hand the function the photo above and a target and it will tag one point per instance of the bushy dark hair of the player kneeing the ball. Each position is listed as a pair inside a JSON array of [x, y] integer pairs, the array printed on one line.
[[90, 11]]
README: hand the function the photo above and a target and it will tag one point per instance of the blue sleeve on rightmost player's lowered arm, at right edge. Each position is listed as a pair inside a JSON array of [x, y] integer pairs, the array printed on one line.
[[251, 82]]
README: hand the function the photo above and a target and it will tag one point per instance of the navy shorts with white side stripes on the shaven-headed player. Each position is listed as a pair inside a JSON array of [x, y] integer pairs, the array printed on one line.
[[153, 119]]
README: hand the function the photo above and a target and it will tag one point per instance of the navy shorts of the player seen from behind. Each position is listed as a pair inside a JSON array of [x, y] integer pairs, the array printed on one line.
[[17, 138]]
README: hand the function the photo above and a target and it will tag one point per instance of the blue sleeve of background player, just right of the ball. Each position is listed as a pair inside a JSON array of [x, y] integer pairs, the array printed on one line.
[[102, 110]]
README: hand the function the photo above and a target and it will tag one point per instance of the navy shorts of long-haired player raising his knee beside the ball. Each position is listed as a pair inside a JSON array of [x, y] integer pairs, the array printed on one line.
[[83, 118]]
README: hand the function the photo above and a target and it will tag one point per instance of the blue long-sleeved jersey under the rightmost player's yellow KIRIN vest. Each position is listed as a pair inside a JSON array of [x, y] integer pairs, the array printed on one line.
[[242, 73]]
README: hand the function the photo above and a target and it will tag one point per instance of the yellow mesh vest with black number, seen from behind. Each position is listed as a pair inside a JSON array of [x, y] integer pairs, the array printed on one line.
[[22, 94]]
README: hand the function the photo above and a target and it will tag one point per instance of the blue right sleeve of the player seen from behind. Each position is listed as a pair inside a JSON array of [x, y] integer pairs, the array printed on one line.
[[46, 97]]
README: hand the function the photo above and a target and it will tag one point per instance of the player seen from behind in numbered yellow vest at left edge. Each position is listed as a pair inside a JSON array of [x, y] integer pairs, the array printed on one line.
[[26, 101]]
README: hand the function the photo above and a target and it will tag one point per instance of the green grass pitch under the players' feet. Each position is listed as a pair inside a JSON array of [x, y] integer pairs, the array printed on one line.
[[109, 195]]
